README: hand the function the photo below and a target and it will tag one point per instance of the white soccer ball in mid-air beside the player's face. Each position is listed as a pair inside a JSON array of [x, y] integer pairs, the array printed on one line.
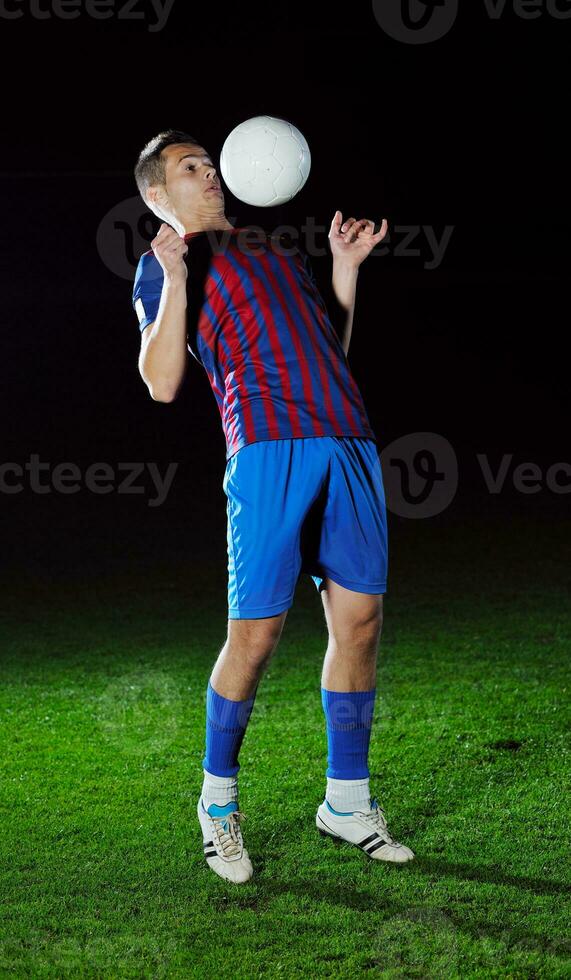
[[265, 161]]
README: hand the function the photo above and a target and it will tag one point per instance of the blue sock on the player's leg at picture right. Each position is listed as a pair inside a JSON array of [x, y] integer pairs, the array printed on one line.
[[349, 717]]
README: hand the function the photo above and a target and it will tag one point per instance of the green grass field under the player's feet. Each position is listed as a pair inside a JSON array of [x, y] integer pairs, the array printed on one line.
[[102, 726]]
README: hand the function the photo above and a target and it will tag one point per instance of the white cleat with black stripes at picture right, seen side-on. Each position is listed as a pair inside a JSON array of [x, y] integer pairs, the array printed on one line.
[[366, 829]]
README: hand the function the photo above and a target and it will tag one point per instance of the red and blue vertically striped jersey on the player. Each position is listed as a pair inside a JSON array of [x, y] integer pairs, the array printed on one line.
[[257, 323]]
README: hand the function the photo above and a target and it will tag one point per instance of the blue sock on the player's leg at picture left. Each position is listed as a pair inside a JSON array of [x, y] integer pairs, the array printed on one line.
[[226, 723]]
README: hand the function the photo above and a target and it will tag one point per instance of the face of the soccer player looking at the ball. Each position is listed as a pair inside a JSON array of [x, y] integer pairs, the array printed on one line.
[[192, 186]]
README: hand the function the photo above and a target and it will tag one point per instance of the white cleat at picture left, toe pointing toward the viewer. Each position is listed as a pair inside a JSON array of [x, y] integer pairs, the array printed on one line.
[[222, 841]]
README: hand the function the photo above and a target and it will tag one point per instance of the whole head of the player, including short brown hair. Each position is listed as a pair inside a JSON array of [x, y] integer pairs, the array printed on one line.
[[175, 174]]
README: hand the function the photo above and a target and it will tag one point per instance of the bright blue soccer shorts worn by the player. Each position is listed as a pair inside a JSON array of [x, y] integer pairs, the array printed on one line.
[[313, 505]]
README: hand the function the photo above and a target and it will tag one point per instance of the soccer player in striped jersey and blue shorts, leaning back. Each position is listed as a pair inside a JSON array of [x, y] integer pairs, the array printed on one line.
[[303, 477]]
